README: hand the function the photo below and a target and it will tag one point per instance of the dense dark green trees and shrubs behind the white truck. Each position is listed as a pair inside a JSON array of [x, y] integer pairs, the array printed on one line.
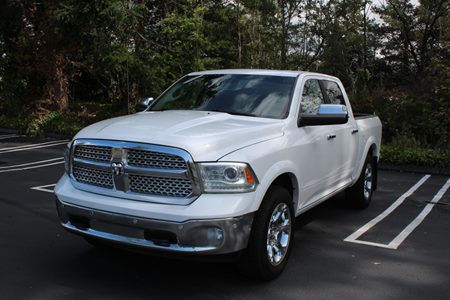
[[68, 63]]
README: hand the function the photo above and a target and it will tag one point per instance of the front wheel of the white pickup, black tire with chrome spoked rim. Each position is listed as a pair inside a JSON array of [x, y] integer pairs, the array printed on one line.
[[261, 260]]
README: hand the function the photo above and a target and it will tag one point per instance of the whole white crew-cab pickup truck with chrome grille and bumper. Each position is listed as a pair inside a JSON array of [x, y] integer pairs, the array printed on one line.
[[222, 162]]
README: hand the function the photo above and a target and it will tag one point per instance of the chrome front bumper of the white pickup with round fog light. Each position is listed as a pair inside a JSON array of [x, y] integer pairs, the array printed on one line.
[[214, 236]]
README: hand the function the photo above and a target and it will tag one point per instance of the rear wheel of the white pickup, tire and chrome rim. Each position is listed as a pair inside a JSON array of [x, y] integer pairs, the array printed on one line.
[[360, 194]]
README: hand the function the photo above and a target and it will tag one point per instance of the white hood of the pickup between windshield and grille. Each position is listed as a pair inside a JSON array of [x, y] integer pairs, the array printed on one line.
[[207, 136]]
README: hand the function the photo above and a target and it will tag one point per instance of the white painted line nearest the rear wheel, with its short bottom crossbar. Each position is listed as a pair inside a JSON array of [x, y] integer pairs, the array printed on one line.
[[353, 238]]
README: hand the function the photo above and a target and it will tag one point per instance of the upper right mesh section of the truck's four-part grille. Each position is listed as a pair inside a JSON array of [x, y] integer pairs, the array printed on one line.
[[148, 159]]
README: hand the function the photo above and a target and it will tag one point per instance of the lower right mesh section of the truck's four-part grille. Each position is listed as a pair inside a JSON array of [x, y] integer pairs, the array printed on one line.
[[173, 187]]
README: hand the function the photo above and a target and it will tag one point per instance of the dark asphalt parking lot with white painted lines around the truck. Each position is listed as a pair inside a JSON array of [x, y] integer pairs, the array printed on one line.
[[398, 248]]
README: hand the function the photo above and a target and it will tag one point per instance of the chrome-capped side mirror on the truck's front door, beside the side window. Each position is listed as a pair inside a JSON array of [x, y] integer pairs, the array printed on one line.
[[328, 114]]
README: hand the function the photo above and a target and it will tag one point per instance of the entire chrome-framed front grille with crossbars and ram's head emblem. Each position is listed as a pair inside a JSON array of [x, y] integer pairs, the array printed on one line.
[[135, 170]]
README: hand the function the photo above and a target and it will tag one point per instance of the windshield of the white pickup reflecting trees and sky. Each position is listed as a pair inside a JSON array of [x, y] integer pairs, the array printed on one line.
[[248, 95]]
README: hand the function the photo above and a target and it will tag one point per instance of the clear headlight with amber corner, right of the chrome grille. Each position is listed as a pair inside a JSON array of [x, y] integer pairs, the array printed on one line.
[[227, 177]]
